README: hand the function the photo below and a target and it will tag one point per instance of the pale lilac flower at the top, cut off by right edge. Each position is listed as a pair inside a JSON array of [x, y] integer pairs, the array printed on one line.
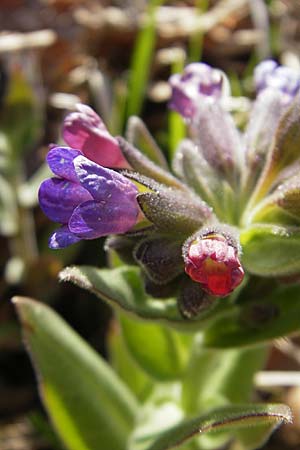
[[270, 75]]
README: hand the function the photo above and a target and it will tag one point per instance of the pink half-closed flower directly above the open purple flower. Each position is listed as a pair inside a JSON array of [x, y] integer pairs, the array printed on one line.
[[85, 131]]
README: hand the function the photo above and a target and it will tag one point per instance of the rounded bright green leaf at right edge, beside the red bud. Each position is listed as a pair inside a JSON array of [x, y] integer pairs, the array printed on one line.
[[271, 250]]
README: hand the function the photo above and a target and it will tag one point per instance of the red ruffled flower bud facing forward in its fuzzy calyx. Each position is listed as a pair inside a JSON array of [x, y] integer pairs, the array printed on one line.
[[212, 260]]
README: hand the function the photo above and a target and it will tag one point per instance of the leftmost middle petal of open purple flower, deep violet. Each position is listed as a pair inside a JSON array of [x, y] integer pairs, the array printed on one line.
[[59, 197]]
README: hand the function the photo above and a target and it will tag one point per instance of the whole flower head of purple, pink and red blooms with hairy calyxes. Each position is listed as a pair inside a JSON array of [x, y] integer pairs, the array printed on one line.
[[230, 203]]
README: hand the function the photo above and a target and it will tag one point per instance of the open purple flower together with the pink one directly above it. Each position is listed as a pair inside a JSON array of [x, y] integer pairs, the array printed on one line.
[[89, 200]]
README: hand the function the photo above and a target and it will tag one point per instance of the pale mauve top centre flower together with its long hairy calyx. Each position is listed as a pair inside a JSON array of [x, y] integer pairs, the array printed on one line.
[[197, 95]]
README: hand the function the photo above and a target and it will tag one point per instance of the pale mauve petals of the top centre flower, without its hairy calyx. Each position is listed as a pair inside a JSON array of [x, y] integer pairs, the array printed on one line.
[[197, 83]]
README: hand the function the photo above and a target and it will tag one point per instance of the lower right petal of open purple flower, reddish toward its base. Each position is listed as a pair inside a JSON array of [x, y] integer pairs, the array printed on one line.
[[91, 219]]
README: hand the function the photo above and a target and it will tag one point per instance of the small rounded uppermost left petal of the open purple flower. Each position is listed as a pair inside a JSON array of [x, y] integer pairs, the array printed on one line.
[[60, 160]]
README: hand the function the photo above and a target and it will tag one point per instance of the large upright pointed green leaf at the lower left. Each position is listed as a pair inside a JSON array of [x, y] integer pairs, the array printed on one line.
[[88, 404]]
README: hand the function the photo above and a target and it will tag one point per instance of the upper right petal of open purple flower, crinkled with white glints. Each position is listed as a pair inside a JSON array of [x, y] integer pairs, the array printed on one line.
[[102, 183]]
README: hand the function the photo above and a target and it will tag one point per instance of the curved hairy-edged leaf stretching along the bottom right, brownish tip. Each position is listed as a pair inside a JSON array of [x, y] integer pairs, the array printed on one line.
[[227, 419]]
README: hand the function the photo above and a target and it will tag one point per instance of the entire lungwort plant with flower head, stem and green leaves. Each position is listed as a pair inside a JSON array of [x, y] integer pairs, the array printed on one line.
[[204, 269]]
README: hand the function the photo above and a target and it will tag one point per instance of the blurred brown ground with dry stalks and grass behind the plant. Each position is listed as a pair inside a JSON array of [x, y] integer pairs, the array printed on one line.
[[54, 53]]
